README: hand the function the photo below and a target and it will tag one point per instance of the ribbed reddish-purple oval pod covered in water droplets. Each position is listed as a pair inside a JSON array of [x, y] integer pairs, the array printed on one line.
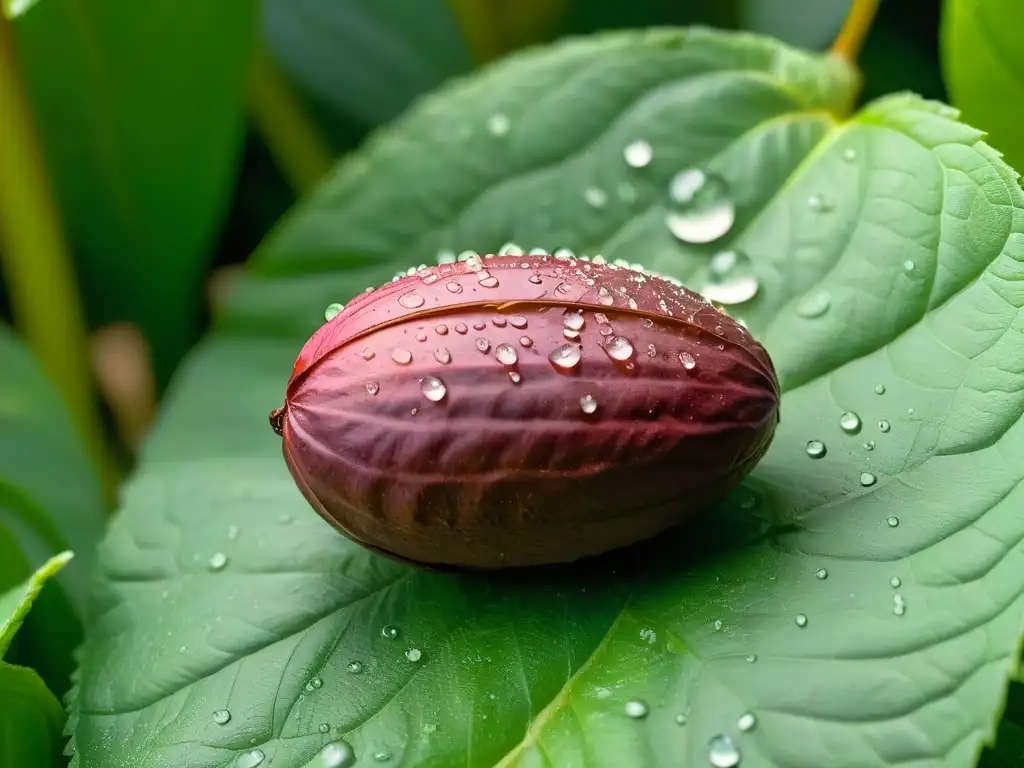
[[508, 468]]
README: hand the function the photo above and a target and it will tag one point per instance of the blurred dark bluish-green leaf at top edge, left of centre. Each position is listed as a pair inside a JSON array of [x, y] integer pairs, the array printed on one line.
[[366, 60]]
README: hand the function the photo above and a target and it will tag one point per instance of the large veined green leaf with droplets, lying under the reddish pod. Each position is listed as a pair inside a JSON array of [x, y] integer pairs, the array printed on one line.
[[232, 594]]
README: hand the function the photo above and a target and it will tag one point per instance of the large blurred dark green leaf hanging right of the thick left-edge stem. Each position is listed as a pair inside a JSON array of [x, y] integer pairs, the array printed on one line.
[[140, 107]]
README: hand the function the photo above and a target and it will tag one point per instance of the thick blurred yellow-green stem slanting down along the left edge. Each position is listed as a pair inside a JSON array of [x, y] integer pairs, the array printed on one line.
[[36, 263]]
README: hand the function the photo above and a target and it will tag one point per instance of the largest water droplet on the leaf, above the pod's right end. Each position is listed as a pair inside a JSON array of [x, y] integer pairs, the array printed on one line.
[[705, 210]]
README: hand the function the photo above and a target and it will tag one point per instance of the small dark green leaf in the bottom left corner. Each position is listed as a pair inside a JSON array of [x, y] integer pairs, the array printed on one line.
[[31, 720]]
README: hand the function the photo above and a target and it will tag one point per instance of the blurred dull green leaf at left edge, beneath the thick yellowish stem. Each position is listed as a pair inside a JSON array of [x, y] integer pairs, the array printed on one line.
[[50, 498]]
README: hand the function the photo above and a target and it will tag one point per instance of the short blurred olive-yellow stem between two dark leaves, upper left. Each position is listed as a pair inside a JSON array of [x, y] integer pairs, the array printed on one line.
[[293, 140]]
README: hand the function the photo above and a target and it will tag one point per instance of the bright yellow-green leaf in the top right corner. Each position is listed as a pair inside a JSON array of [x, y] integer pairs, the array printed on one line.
[[984, 66]]
